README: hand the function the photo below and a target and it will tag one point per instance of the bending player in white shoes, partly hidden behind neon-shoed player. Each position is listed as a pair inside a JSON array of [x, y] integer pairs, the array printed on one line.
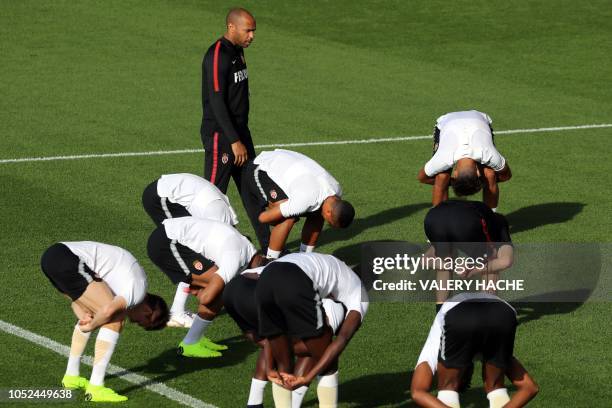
[[183, 195]]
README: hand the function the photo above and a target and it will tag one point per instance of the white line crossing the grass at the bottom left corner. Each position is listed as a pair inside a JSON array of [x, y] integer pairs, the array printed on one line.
[[122, 373]]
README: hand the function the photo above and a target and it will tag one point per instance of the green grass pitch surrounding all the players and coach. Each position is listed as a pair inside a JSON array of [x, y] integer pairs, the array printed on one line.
[[85, 77]]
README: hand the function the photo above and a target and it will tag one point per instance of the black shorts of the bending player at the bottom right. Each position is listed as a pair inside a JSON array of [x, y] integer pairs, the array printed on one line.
[[478, 327]]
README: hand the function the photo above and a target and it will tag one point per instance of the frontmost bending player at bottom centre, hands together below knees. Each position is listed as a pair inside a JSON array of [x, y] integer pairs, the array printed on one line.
[[288, 297]]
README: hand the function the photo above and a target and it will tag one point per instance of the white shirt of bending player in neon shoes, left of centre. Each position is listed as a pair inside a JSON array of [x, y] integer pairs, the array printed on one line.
[[221, 243]]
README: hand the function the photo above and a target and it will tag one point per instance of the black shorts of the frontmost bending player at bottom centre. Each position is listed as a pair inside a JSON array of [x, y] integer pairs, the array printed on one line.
[[287, 302]]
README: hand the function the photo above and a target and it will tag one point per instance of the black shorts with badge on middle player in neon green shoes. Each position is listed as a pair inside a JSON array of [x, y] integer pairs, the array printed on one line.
[[177, 261]]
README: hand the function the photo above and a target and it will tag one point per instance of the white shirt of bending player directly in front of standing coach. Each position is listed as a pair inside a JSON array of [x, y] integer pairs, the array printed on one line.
[[305, 182]]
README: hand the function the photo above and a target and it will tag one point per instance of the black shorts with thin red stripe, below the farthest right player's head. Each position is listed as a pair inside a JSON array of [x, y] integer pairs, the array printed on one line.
[[469, 226]]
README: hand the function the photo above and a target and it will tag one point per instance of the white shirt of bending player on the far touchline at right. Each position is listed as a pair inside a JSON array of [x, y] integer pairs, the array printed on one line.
[[464, 135]]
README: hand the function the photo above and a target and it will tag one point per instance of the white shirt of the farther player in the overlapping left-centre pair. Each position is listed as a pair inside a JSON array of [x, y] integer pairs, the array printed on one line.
[[199, 196]]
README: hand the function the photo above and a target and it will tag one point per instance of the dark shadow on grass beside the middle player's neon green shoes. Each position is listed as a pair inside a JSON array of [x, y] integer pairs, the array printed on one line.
[[168, 365]]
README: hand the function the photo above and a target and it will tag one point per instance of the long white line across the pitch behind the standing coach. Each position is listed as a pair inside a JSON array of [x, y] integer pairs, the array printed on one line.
[[298, 144]]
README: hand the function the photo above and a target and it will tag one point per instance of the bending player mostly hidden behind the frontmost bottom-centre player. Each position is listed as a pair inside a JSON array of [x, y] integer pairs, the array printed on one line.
[[239, 302]]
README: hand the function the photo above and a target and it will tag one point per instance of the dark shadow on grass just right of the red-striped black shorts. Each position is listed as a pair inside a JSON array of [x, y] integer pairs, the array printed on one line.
[[537, 215]]
